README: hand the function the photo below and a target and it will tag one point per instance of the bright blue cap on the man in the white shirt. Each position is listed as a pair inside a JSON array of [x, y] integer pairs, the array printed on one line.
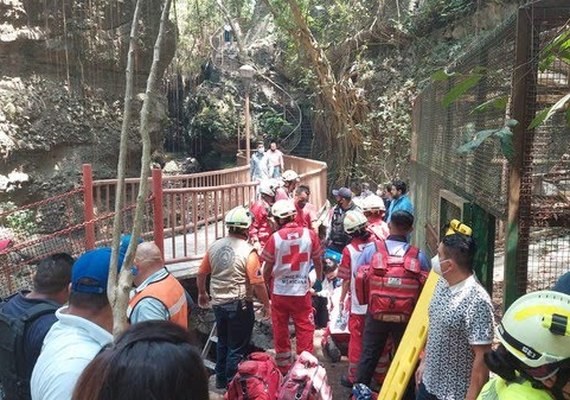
[[93, 265]]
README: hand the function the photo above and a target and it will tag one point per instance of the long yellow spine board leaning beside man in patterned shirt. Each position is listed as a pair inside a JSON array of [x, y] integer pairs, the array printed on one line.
[[405, 360]]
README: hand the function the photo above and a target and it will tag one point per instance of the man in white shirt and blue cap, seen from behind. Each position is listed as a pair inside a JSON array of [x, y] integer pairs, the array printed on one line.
[[82, 329]]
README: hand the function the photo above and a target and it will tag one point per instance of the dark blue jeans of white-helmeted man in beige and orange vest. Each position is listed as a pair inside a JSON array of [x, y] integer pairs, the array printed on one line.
[[234, 322]]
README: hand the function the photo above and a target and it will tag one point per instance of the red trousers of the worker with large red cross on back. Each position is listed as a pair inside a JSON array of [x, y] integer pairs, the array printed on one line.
[[300, 309]]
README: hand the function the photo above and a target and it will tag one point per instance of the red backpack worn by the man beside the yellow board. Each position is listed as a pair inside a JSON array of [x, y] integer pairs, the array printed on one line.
[[390, 285]]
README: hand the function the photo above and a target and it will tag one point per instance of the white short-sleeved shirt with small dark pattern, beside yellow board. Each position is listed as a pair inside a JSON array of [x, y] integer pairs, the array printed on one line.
[[460, 316]]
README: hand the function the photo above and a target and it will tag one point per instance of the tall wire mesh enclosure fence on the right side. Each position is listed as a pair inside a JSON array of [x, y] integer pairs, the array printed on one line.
[[446, 184]]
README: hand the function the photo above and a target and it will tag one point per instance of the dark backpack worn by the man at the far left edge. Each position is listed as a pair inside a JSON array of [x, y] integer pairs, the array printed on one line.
[[15, 383]]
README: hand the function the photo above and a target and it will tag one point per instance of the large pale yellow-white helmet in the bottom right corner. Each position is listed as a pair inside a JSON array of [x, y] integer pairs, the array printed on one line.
[[536, 328]]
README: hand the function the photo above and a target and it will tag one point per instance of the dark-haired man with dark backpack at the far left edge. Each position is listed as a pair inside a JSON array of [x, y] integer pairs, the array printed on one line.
[[50, 291]]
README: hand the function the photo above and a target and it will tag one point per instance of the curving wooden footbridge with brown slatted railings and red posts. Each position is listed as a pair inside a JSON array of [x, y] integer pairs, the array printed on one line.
[[184, 215]]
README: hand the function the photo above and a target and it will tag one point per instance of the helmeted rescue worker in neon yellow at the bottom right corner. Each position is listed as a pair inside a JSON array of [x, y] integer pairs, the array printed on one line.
[[533, 359]]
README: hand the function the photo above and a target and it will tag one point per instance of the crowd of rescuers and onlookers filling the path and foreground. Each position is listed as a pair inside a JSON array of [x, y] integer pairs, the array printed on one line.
[[57, 343]]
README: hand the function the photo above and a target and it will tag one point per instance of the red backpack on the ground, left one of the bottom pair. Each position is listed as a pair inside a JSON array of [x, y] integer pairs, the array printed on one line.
[[257, 378]]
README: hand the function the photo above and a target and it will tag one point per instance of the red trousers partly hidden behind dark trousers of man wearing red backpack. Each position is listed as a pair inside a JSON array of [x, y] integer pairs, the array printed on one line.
[[356, 328]]
